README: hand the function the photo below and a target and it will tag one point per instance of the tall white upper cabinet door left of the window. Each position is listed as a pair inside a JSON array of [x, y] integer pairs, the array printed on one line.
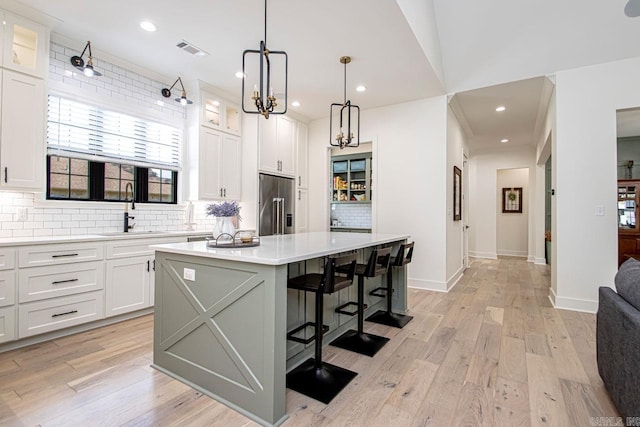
[[22, 135]]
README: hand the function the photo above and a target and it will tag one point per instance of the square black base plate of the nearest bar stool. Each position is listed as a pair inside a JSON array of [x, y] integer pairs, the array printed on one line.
[[323, 383]]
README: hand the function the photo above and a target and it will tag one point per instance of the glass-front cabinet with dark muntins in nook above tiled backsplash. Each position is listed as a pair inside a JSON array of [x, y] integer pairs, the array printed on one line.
[[351, 178]]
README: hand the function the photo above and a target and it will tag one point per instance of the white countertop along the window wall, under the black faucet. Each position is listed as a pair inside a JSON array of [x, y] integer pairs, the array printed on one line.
[[21, 241]]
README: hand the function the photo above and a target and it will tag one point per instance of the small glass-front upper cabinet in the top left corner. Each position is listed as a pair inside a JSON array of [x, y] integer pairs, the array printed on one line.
[[26, 46]]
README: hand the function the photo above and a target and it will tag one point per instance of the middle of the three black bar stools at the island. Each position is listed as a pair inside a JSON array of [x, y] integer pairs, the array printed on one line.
[[359, 341]]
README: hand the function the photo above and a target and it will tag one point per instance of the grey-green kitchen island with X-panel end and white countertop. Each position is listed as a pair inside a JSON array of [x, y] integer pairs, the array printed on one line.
[[221, 314]]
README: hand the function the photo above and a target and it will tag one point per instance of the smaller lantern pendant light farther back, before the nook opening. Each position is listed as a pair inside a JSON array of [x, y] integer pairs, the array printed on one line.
[[344, 138]]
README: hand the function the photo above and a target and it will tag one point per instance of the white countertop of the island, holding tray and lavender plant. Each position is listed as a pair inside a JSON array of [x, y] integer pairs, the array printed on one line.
[[284, 249]]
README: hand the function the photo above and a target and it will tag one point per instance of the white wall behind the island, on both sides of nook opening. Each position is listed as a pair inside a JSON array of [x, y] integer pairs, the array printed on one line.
[[409, 180]]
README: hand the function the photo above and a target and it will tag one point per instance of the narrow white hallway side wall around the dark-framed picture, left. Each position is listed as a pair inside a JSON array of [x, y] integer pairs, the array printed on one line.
[[455, 147]]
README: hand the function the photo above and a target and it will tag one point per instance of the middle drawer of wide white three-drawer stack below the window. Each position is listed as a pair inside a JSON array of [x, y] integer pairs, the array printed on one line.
[[59, 280]]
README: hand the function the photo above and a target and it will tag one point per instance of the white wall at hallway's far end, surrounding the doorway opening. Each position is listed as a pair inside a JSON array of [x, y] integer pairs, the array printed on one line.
[[483, 197]]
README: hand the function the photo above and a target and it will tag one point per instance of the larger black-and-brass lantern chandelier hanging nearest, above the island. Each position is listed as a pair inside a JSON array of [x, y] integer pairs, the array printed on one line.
[[264, 99]]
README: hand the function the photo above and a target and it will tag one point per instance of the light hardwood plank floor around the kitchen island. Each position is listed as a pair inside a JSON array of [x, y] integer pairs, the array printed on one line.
[[492, 352]]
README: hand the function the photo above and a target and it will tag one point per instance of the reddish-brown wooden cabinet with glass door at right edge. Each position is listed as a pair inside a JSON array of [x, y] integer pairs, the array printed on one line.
[[628, 227]]
